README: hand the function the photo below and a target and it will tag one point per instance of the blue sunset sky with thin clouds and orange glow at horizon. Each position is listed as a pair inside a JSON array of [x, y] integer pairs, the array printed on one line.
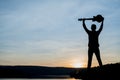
[[48, 33]]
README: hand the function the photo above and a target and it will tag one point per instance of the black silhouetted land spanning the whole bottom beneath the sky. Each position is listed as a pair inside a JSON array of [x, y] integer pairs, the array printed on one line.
[[108, 72]]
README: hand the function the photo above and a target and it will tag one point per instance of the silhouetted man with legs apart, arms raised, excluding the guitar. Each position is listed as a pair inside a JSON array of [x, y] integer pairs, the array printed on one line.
[[93, 44]]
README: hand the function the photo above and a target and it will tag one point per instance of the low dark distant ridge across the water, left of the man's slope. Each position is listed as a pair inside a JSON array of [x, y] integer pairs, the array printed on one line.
[[34, 71]]
